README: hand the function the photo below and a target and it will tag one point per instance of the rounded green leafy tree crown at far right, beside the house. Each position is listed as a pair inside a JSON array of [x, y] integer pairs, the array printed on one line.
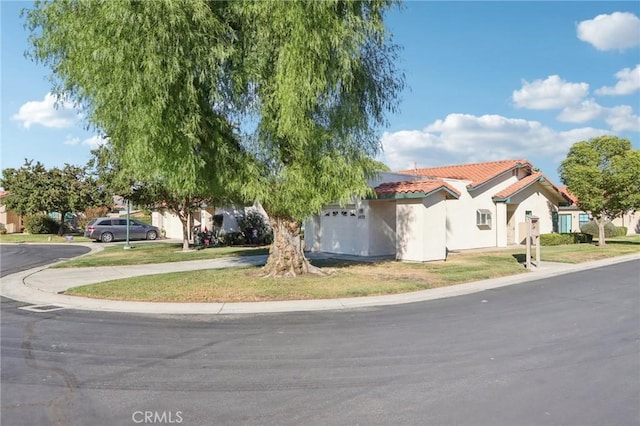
[[603, 173]]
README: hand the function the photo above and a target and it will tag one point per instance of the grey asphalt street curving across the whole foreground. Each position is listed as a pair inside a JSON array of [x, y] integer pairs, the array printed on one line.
[[558, 351]]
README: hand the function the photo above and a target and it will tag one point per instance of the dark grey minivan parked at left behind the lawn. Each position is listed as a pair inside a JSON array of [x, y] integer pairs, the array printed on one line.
[[107, 229]]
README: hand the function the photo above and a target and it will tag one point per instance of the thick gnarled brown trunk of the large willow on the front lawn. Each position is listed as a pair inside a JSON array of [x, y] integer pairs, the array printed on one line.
[[286, 254]]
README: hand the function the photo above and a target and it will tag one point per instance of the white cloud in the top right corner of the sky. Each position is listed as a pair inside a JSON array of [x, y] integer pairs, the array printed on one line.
[[618, 31]]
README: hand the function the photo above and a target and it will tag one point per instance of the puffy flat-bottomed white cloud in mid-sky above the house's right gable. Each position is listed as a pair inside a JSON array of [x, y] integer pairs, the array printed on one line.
[[552, 93]]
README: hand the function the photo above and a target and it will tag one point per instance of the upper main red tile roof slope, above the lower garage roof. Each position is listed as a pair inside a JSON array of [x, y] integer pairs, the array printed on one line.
[[477, 173]]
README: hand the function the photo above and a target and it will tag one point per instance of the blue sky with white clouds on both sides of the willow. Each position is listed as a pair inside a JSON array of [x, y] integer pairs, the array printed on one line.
[[485, 81]]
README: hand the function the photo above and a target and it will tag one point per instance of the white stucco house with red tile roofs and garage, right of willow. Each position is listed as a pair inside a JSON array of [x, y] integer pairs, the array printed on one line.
[[421, 214]]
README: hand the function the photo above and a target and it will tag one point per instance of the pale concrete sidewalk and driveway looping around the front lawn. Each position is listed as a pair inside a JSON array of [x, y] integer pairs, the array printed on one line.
[[41, 286]]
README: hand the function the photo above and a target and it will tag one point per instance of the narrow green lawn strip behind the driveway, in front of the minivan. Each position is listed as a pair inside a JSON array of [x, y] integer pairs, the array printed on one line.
[[156, 252]]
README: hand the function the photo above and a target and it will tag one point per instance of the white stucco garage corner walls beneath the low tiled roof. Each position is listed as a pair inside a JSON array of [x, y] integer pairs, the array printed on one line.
[[420, 227]]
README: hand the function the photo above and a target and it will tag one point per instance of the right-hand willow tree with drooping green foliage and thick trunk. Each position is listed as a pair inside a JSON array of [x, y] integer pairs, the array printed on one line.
[[320, 76]]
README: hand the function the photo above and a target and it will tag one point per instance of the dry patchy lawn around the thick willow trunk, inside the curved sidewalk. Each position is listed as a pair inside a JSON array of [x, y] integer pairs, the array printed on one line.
[[350, 279]]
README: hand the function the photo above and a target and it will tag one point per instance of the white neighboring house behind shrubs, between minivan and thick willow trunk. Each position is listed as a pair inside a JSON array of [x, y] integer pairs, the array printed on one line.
[[205, 218]]
